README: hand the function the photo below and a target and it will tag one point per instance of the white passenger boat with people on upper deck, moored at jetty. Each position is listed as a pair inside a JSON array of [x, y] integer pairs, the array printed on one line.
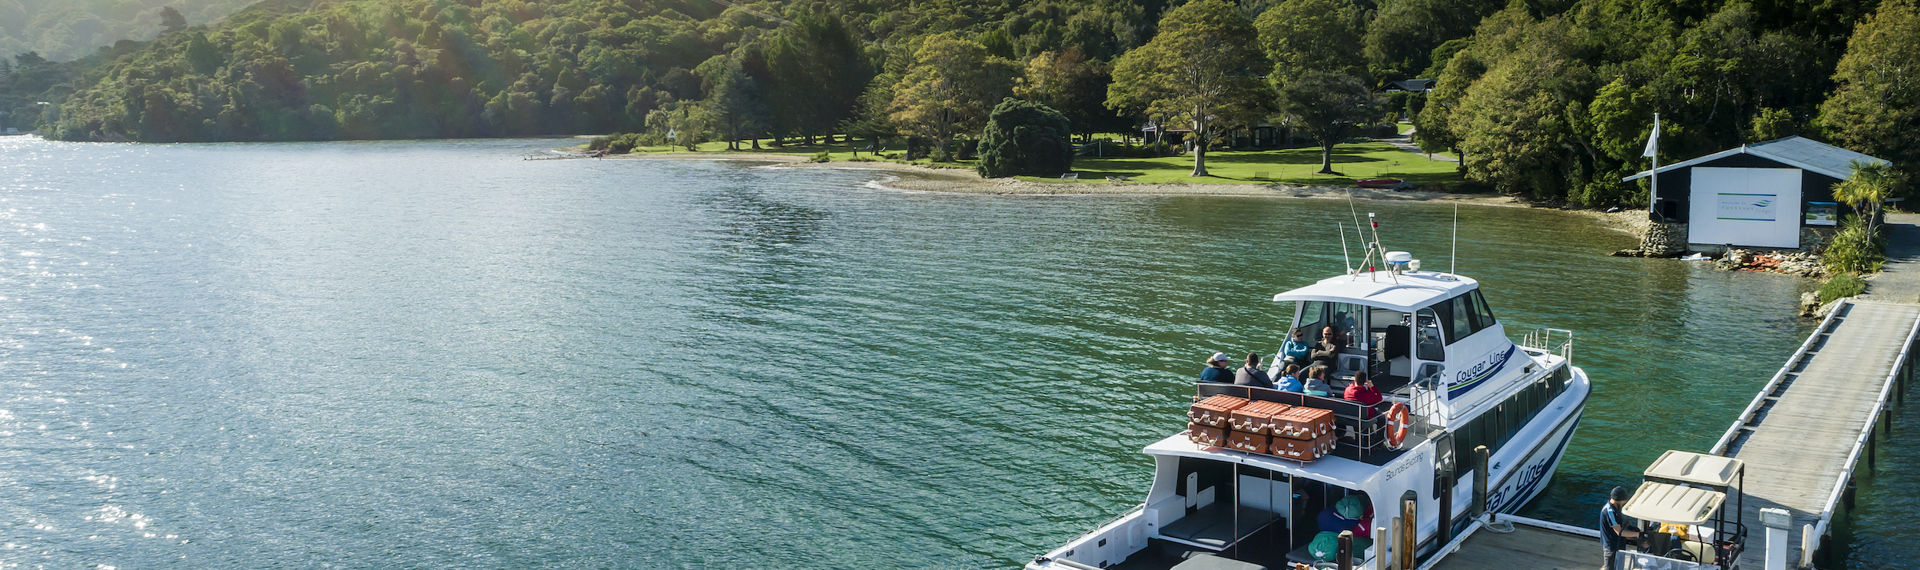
[[1441, 360]]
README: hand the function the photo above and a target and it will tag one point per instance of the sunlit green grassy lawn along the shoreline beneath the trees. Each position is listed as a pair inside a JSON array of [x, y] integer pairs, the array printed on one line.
[[1293, 166]]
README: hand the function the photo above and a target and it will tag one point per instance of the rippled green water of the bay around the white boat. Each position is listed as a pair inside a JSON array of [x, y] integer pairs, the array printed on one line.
[[437, 354]]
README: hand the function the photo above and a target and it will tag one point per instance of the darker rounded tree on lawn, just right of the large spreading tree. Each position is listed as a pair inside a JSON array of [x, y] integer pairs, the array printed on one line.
[[1328, 107]]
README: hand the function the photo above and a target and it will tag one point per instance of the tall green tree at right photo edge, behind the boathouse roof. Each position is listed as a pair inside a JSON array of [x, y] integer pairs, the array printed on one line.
[[1877, 107]]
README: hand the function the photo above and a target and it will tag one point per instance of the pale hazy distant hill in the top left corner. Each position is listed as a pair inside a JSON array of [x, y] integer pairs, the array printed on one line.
[[68, 30]]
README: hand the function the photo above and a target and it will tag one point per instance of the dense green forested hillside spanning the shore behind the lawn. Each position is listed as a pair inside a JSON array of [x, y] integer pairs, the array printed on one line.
[[1550, 97]]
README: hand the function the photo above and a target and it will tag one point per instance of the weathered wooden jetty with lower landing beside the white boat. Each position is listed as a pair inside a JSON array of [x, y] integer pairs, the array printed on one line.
[[1802, 439]]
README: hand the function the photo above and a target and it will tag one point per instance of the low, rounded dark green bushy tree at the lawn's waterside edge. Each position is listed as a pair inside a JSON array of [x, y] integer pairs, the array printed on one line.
[[1026, 139]]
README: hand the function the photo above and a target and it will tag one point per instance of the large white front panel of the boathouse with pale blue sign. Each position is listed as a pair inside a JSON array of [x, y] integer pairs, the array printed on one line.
[[1756, 208]]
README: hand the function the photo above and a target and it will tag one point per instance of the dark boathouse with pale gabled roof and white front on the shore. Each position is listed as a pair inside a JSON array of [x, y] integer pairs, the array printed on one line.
[[1765, 195]]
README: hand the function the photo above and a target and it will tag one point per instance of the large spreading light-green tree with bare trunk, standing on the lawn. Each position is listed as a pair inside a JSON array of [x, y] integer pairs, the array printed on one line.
[[1199, 72]]
